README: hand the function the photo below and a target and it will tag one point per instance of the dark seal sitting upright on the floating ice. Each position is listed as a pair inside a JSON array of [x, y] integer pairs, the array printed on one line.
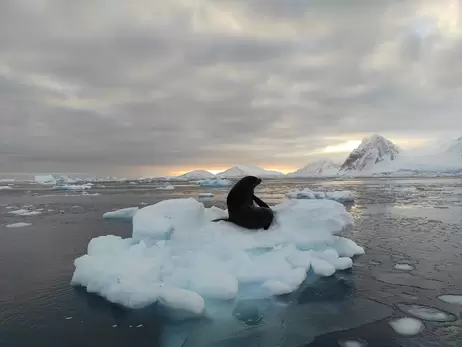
[[241, 208]]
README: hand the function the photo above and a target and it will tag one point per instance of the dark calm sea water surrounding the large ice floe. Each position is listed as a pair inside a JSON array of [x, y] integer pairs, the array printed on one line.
[[417, 222]]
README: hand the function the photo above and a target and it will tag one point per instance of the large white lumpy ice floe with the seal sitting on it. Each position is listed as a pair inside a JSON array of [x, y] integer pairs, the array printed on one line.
[[177, 257]]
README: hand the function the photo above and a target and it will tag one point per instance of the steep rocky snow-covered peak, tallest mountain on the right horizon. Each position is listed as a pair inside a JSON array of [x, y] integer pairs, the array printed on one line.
[[374, 154]]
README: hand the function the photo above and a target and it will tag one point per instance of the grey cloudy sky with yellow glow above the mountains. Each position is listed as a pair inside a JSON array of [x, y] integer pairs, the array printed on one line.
[[146, 87]]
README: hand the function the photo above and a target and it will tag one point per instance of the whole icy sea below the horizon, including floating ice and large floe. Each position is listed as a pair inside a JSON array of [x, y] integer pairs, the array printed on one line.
[[360, 262]]
